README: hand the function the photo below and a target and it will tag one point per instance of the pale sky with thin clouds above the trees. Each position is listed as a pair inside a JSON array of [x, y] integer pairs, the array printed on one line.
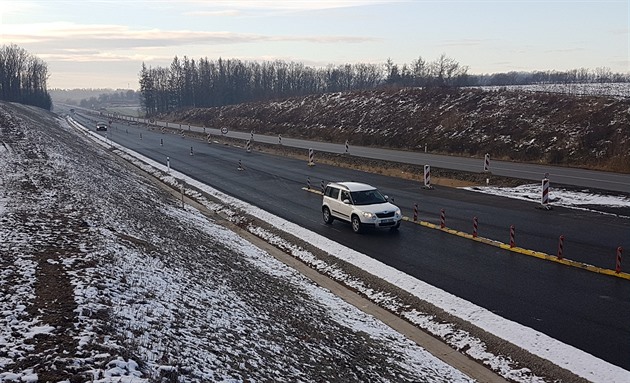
[[102, 43]]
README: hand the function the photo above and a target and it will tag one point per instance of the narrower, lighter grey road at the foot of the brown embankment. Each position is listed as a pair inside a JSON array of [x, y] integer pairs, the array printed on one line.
[[559, 175]]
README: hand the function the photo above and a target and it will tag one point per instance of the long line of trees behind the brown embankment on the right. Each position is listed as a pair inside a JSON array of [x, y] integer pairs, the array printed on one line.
[[190, 83]]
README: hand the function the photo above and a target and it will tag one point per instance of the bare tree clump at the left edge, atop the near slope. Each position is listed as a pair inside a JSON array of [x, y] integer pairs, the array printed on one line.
[[23, 77]]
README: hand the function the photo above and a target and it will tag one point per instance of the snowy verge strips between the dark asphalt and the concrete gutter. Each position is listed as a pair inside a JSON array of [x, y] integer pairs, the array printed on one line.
[[568, 357]]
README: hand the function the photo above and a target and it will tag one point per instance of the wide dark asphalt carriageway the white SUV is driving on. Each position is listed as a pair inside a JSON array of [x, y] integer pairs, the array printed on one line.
[[580, 308]]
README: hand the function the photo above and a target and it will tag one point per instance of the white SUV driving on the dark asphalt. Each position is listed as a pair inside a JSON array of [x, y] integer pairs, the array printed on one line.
[[360, 204]]
